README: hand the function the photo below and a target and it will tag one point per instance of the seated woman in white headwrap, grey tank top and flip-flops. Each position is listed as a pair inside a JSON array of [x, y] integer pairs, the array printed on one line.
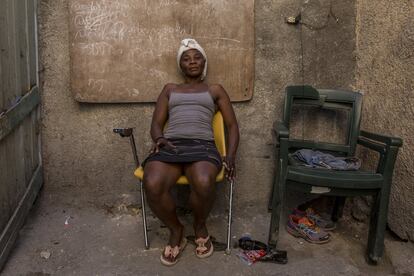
[[187, 147]]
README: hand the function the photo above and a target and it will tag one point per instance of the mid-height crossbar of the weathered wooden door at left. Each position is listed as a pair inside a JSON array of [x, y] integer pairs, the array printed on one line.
[[12, 118]]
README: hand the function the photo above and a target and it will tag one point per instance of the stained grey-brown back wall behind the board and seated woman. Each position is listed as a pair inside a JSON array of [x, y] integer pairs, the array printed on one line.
[[87, 165]]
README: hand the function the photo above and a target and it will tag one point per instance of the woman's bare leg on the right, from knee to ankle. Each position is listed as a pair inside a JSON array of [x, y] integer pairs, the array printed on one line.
[[202, 176]]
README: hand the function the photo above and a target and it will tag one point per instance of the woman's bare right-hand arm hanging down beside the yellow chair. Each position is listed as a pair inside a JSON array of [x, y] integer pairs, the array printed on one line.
[[224, 105]]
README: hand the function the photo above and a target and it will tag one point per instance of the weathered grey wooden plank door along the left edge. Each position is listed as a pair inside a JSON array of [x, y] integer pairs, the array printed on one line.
[[20, 165]]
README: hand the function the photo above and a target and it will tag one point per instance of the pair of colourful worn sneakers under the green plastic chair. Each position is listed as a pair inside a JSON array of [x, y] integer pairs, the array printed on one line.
[[310, 226]]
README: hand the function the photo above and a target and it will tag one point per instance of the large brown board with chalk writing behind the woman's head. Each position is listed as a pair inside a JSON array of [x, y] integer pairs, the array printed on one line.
[[125, 51]]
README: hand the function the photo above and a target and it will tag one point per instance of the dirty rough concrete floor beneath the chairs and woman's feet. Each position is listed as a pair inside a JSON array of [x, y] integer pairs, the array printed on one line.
[[108, 240]]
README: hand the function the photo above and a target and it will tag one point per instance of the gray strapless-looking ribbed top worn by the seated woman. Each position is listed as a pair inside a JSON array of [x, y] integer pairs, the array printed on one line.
[[190, 115]]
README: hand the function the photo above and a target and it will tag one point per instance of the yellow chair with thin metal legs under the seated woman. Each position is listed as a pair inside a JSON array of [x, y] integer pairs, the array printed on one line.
[[219, 138]]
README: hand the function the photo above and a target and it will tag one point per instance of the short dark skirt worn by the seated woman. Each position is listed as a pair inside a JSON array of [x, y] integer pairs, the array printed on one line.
[[187, 151]]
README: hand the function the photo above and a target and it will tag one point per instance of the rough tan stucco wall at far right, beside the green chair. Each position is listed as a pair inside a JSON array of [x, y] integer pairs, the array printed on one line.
[[385, 72]]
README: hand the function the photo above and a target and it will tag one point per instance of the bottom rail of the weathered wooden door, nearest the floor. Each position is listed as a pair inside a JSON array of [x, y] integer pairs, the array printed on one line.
[[9, 234]]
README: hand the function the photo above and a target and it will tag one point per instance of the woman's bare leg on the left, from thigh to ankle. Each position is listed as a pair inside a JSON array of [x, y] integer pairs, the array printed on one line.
[[159, 178]]
